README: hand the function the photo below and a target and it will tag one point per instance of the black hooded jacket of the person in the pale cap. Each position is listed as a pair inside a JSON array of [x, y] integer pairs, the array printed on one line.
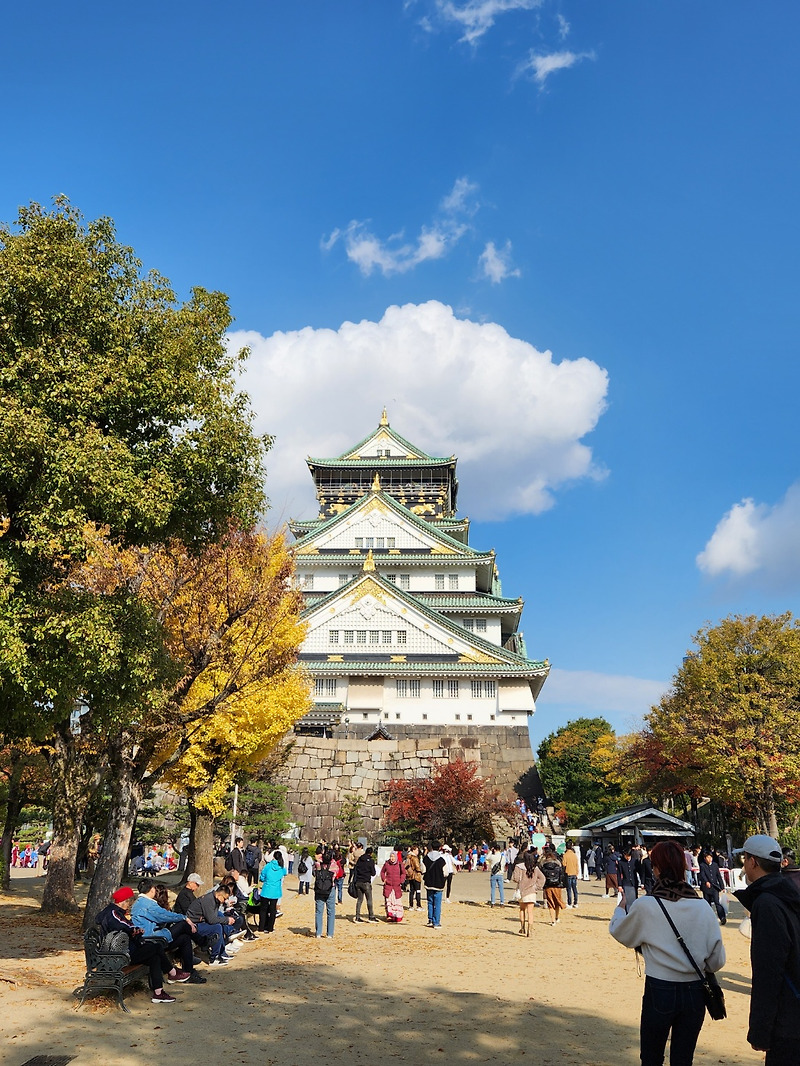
[[775, 957]]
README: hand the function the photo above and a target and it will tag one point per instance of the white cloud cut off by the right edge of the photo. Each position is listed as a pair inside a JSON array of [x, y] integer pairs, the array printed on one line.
[[757, 539]]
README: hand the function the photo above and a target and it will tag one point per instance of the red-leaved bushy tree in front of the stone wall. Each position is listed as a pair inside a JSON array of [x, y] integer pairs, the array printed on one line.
[[453, 803]]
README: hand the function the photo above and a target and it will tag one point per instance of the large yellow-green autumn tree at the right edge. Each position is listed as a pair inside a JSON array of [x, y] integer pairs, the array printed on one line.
[[730, 726]]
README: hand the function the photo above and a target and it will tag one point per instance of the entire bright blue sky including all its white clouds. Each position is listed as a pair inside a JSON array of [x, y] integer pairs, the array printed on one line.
[[557, 239]]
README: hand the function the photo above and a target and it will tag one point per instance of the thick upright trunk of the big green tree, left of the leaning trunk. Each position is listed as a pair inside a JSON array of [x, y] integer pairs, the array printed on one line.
[[76, 776]]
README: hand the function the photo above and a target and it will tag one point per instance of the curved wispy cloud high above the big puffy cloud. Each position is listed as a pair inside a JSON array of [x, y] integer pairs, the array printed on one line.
[[397, 256]]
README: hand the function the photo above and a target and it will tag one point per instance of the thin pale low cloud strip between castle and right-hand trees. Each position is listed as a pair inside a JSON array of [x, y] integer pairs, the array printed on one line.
[[597, 693]]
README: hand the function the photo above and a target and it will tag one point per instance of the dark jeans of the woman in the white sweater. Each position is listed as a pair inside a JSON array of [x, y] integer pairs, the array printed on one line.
[[675, 1008]]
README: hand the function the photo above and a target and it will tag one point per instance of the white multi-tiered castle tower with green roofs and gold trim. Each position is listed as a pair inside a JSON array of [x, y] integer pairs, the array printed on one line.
[[408, 628]]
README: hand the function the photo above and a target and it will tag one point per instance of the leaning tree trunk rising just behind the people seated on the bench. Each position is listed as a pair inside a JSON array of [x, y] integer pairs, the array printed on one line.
[[126, 792]]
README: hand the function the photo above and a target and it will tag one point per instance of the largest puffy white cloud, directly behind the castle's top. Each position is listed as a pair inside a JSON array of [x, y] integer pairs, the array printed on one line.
[[514, 416]]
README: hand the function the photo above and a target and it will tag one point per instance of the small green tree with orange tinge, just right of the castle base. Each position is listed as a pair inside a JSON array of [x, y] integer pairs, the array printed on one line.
[[570, 773]]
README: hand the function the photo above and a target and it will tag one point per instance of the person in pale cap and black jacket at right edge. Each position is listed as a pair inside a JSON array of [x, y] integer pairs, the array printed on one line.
[[774, 903]]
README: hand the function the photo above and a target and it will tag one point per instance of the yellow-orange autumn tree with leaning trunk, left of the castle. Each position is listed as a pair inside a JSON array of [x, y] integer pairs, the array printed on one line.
[[231, 620]]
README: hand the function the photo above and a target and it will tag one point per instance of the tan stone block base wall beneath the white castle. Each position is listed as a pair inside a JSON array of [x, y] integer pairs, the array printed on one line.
[[322, 772]]
